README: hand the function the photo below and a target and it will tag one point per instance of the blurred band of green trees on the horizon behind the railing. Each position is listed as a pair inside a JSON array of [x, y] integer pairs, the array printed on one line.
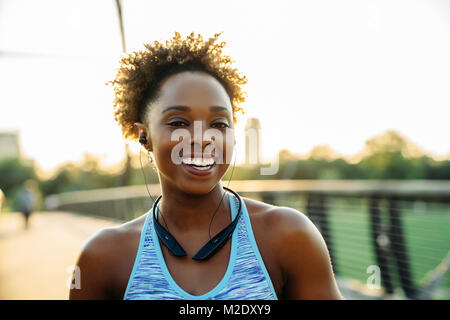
[[387, 156]]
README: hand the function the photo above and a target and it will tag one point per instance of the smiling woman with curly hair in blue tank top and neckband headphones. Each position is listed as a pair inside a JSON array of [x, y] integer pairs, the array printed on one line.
[[269, 252]]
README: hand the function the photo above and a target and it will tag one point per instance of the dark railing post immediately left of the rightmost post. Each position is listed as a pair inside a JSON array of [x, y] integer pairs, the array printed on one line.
[[381, 252]]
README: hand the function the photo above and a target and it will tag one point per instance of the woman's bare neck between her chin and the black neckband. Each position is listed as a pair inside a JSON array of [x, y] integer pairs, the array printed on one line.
[[186, 212]]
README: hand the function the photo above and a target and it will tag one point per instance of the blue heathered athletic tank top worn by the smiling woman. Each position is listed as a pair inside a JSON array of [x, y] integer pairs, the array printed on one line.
[[246, 277]]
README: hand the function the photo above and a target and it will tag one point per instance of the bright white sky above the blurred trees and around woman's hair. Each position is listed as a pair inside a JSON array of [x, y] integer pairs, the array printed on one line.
[[320, 72]]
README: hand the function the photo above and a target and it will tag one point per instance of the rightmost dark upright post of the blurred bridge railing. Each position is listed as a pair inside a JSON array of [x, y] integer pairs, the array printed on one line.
[[399, 249]]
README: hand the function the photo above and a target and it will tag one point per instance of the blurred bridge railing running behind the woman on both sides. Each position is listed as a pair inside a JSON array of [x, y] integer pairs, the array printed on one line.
[[394, 234]]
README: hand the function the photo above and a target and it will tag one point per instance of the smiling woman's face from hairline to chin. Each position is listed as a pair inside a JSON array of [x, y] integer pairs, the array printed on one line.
[[191, 120]]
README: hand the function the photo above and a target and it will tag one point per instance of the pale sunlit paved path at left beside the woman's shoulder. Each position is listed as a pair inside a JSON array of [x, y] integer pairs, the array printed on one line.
[[34, 262]]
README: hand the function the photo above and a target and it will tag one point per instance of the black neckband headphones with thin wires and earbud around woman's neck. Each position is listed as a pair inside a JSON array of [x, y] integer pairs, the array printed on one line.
[[213, 245]]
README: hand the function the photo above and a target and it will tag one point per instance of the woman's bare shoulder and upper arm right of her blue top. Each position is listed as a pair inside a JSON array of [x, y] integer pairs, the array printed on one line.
[[300, 251]]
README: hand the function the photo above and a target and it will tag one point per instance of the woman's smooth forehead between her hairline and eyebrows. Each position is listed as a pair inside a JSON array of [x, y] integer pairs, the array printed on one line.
[[193, 89]]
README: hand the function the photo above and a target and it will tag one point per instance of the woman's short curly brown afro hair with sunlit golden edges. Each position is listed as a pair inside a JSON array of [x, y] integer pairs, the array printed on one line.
[[141, 73]]
